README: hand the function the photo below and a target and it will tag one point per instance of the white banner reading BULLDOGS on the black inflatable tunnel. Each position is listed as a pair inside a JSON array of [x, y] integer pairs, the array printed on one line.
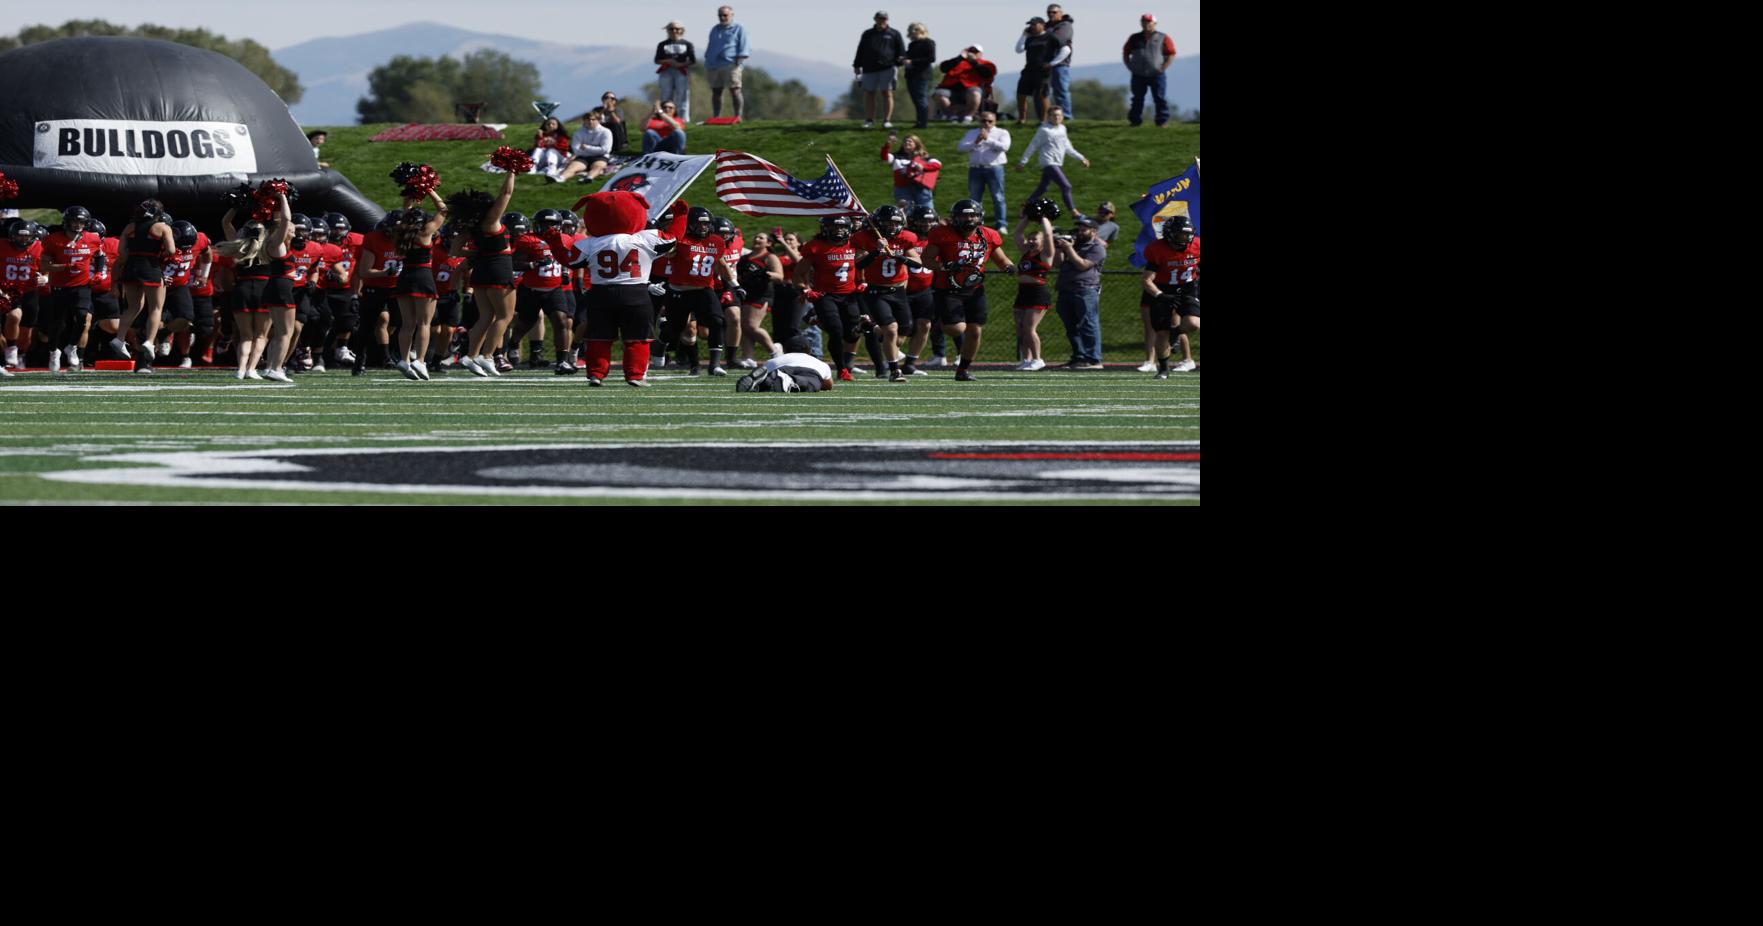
[[144, 149]]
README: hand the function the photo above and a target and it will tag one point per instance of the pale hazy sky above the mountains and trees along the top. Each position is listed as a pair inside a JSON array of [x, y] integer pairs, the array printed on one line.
[[1099, 26]]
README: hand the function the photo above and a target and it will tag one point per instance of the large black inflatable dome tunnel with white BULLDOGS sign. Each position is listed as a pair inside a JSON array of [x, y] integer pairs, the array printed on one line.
[[108, 123]]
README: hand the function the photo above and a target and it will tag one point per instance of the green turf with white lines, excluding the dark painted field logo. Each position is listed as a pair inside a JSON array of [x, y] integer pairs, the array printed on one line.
[[123, 435]]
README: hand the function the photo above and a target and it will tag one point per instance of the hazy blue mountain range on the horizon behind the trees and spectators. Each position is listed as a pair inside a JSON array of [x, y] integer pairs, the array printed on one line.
[[336, 70]]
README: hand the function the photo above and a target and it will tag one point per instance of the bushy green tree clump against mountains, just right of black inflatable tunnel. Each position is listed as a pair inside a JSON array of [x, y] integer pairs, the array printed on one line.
[[426, 89]]
